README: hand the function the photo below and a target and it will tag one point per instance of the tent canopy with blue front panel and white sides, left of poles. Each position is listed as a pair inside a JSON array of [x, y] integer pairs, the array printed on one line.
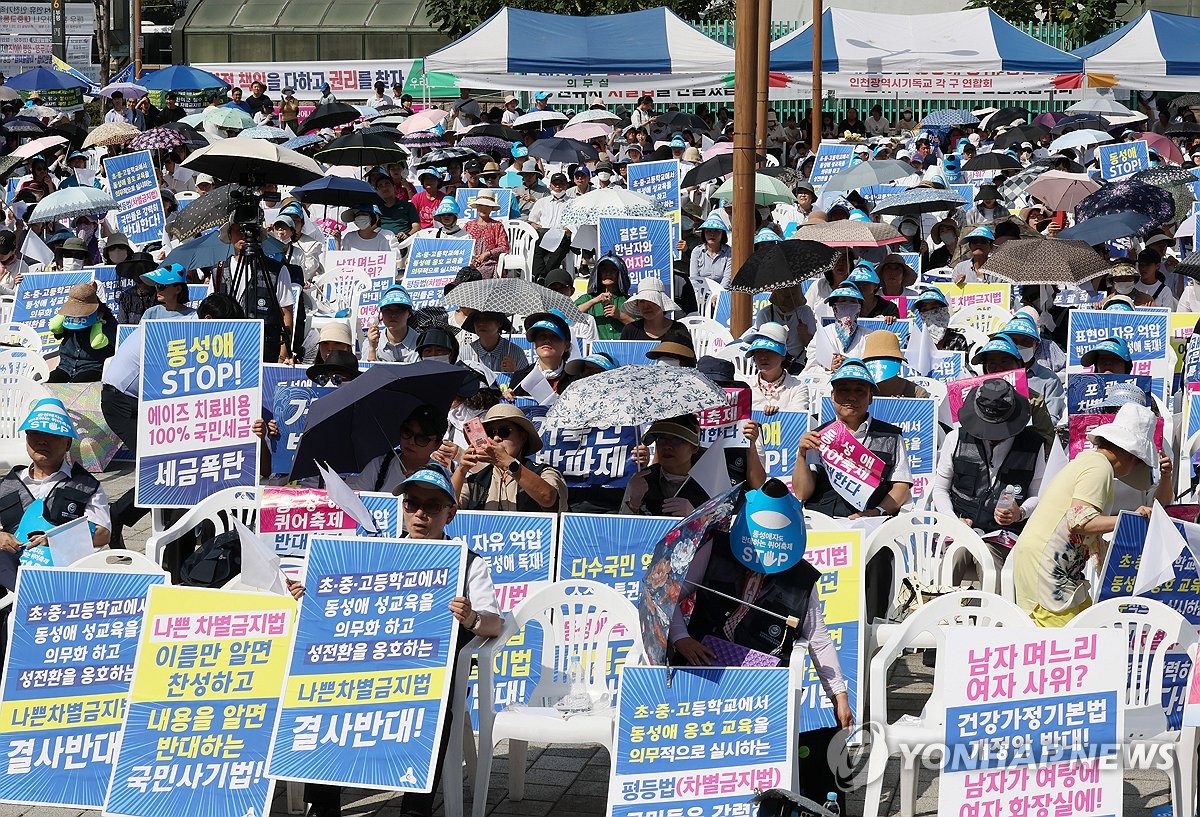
[[533, 51]]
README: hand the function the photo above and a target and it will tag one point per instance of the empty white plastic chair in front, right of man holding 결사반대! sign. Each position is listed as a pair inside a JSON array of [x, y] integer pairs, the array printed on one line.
[[579, 621]]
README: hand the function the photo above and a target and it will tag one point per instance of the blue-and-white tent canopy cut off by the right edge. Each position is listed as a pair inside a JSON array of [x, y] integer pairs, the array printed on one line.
[[1157, 52]]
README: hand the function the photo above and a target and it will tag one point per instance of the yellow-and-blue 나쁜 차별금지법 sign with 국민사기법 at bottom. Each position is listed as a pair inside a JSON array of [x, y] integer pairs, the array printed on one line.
[[203, 701]]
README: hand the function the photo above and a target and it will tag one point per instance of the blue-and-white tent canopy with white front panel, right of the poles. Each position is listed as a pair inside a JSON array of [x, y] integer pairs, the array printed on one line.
[[955, 53]]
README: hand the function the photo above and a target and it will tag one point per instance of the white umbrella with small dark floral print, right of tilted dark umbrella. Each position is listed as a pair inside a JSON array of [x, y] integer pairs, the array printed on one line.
[[632, 397]]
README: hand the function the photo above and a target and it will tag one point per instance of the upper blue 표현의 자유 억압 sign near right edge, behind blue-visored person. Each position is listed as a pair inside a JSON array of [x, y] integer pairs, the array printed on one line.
[[1147, 332]]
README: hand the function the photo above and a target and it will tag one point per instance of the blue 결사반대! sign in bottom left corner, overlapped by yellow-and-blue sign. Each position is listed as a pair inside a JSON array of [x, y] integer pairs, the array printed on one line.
[[65, 682]]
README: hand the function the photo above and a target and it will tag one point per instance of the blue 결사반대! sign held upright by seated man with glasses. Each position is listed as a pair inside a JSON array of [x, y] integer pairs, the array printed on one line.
[[367, 696]]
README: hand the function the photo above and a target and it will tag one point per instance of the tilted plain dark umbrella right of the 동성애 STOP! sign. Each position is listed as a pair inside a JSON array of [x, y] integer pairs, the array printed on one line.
[[361, 420]]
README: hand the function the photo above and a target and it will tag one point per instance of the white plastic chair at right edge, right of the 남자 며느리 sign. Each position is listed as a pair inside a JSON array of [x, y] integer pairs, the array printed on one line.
[[1153, 630]]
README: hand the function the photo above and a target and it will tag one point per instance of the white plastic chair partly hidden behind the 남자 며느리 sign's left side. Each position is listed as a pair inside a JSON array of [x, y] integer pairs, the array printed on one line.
[[915, 738]]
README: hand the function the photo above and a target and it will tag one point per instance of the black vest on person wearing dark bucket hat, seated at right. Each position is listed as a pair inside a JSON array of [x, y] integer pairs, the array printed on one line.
[[974, 494]]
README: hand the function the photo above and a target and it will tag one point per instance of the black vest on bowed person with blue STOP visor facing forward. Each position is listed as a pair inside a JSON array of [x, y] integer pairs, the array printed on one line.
[[787, 593]]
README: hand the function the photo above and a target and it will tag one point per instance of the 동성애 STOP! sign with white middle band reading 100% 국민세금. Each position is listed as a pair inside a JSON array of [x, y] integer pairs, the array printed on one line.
[[201, 394]]
